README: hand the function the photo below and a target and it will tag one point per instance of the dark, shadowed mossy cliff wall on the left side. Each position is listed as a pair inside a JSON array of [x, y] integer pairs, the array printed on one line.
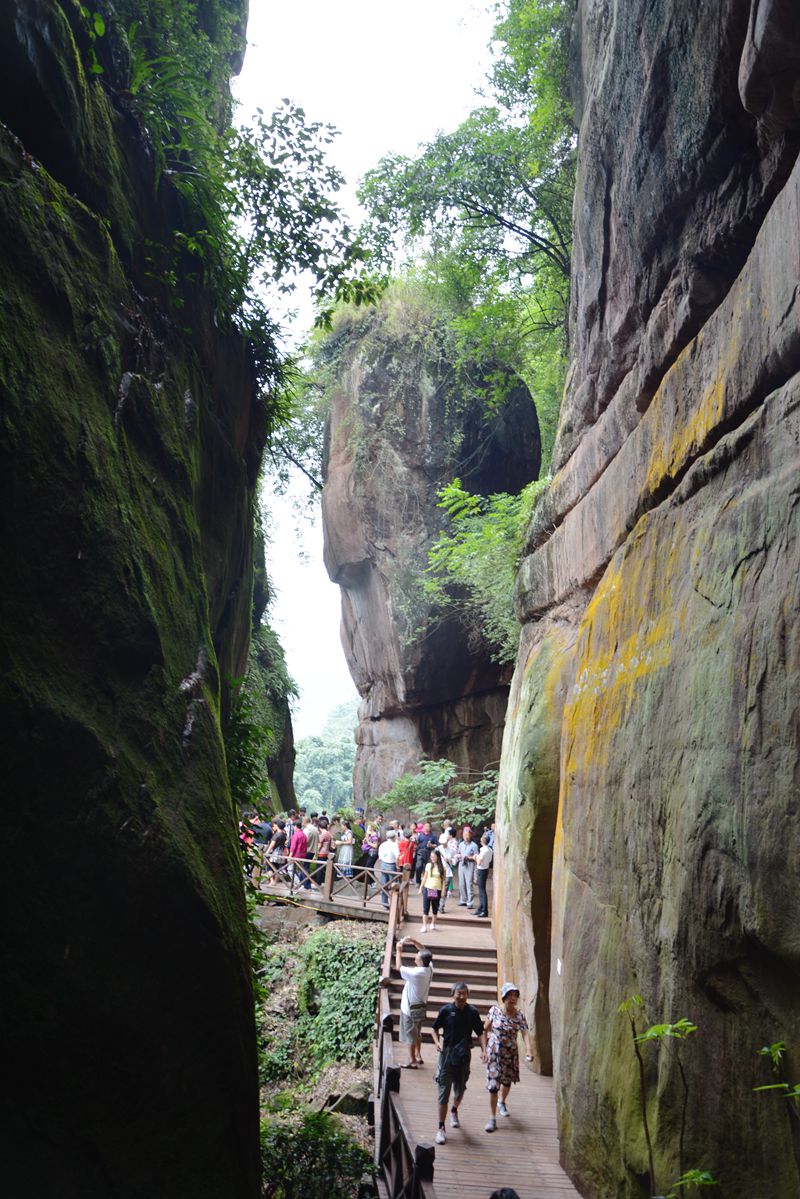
[[130, 442]]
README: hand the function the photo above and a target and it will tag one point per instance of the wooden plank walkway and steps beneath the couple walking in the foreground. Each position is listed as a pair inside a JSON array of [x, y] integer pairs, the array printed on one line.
[[524, 1153]]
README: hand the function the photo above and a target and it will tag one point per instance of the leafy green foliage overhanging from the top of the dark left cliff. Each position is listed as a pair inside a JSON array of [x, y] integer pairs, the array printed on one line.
[[258, 202]]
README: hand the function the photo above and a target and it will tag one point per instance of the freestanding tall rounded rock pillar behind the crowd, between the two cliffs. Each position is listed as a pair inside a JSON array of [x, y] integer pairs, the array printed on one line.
[[399, 431]]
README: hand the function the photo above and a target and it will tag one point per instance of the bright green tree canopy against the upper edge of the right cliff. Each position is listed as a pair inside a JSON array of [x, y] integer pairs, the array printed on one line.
[[483, 215]]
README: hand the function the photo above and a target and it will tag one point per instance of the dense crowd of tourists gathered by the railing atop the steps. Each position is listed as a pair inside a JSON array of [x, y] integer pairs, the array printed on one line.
[[443, 865]]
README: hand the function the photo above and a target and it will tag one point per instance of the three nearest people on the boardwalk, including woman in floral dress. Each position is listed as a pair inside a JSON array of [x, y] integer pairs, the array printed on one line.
[[454, 1029]]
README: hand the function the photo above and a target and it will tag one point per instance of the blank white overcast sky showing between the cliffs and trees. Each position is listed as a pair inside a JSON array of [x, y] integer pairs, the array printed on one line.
[[388, 77]]
